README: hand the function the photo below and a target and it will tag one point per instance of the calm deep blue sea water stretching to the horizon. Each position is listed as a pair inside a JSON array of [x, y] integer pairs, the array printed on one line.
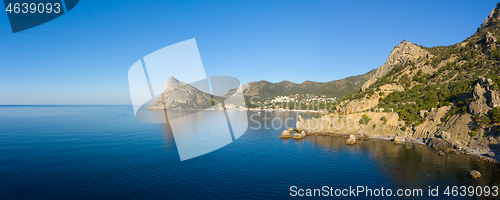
[[104, 152]]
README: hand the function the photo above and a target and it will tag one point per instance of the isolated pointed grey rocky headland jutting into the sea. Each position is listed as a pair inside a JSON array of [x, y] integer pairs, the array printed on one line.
[[179, 95]]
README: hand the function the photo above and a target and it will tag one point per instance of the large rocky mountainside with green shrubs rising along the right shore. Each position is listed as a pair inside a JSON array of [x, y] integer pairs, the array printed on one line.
[[448, 95]]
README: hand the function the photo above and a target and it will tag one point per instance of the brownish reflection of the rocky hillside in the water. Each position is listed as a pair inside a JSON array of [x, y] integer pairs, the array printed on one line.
[[417, 166]]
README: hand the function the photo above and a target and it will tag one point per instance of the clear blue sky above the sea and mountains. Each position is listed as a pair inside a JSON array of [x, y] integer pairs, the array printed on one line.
[[83, 57]]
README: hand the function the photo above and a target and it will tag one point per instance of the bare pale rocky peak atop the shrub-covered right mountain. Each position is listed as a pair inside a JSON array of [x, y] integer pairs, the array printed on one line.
[[399, 55]]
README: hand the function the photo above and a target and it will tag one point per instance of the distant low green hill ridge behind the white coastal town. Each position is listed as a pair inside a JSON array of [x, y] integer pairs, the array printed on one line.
[[336, 88]]
